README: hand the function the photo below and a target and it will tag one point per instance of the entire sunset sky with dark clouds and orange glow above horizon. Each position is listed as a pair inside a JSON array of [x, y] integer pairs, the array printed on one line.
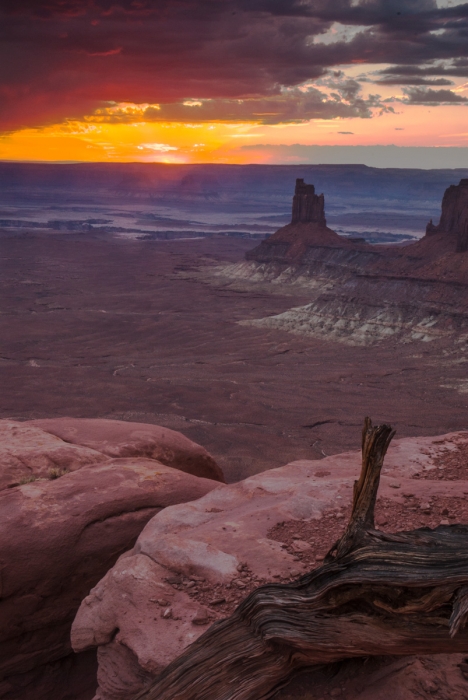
[[234, 81]]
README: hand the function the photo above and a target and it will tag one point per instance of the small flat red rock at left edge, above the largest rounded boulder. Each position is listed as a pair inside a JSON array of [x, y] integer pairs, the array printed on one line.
[[27, 452]]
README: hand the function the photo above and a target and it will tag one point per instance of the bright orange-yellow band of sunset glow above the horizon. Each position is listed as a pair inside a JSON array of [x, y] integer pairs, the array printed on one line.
[[221, 142]]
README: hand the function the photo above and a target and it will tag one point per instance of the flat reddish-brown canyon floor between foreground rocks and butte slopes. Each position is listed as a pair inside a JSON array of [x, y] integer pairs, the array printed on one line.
[[99, 326]]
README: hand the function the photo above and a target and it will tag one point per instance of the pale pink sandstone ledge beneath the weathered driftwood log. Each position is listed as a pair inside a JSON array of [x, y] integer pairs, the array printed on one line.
[[193, 563]]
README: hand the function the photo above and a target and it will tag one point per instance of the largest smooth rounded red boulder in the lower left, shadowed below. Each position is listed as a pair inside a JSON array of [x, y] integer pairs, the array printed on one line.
[[58, 538]]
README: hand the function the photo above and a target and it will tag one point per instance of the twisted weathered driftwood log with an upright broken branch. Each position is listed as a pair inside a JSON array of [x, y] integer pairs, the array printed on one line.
[[376, 594]]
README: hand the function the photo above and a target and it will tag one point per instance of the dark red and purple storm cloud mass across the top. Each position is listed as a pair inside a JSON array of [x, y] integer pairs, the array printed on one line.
[[64, 58]]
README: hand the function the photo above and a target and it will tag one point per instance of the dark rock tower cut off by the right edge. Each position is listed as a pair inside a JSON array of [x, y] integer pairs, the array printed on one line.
[[454, 217]]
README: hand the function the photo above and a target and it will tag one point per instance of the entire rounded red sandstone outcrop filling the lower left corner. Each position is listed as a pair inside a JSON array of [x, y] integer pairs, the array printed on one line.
[[67, 512]]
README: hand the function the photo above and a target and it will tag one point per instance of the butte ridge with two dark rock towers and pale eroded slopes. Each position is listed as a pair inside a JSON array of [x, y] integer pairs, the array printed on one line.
[[361, 293]]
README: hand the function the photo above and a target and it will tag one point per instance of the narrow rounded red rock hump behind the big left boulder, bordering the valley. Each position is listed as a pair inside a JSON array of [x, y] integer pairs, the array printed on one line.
[[117, 438]]
